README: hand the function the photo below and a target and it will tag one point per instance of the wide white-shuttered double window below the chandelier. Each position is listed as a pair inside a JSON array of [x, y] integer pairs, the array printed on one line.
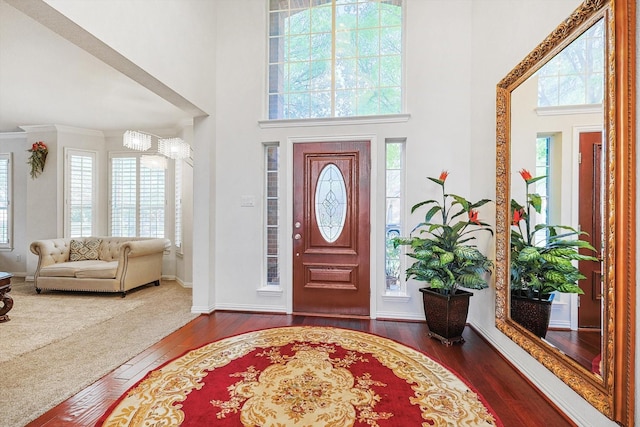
[[137, 198]]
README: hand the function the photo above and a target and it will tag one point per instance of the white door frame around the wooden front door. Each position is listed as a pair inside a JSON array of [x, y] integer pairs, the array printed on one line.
[[286, 258]]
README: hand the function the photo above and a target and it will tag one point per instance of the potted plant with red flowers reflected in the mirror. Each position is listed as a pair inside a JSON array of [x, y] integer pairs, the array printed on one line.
[[543, 261]]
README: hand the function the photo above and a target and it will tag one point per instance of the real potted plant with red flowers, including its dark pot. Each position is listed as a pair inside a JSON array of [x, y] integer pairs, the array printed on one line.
[[445, 258]]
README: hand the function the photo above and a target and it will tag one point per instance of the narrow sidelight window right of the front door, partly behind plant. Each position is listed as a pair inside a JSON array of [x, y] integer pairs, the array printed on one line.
[[394, 183]]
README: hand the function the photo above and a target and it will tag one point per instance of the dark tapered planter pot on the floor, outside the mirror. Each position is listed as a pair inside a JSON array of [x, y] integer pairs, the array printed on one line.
[[446, 315]]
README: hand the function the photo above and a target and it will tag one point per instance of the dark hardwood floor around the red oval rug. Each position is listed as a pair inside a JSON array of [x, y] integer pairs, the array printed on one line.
[[514, 399]]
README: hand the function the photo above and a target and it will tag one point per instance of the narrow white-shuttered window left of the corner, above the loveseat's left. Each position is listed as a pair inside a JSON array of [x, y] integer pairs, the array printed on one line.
[[80, 193]]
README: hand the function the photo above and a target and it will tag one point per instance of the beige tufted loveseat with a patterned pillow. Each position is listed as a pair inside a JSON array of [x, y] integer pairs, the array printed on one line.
[[100, 264]]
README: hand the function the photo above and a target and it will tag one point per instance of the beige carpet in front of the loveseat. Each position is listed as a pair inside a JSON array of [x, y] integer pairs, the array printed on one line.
[[57, 343]]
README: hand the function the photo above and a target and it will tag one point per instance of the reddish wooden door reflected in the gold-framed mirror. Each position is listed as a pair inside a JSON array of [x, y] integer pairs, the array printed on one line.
[[590, 218]]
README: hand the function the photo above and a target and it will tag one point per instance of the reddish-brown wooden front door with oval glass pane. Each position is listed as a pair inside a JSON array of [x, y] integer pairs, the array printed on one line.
[[331, 229]]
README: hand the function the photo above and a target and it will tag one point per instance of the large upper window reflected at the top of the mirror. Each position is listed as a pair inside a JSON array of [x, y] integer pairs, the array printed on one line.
[[575, 76]]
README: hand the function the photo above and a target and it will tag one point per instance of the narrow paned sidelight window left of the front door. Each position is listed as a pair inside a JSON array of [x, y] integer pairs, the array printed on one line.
[[272, 214]]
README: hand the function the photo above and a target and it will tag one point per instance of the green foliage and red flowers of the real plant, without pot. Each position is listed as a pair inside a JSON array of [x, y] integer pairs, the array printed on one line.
[[443, 252]]
